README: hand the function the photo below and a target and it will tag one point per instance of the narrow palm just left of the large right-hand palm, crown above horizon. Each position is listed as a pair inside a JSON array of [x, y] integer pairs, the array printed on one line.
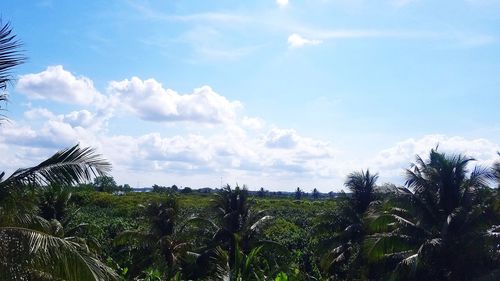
[[343, 230]]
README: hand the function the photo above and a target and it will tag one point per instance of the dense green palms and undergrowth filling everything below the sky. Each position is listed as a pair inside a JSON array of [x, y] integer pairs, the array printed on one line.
[[54, 225]]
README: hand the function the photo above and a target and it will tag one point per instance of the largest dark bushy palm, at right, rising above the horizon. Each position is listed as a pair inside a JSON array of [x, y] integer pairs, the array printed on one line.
[[440, 227]]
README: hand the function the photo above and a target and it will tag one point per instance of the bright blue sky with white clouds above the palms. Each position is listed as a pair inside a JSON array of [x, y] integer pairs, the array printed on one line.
[[275, 94]]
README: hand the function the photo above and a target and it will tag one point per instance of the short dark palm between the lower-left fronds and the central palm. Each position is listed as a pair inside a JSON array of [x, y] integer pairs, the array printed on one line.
[[160, 246]]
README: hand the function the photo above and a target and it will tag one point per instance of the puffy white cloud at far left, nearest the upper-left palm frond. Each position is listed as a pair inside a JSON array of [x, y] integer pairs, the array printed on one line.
[[59, 85]]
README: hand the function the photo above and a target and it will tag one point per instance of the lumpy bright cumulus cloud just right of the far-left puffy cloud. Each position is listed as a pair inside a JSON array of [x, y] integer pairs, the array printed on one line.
[[149, 100]]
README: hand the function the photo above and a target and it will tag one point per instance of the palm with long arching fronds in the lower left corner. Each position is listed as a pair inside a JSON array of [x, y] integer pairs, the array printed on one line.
[[34, 248]]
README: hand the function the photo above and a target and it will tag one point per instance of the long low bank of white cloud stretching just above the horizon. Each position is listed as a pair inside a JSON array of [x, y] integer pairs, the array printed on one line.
[[279, 157]]
